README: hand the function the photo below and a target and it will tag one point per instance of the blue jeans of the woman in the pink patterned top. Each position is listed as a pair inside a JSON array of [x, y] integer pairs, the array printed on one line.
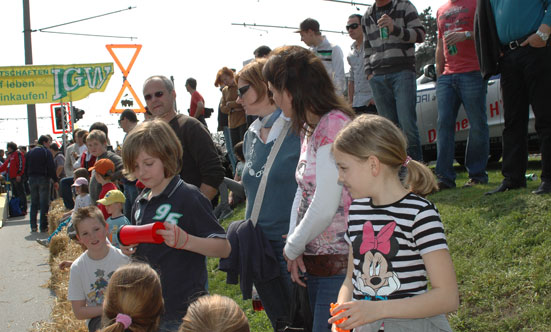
[[323, 291]]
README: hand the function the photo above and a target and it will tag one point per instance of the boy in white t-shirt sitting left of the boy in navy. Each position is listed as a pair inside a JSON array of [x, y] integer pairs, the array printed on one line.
[[91, 271]]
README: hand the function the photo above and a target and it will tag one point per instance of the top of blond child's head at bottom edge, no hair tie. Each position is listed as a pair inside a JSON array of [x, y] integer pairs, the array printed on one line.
[[214, 313]]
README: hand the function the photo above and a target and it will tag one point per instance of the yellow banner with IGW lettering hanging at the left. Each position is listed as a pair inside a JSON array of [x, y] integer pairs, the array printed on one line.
[[52, 83]]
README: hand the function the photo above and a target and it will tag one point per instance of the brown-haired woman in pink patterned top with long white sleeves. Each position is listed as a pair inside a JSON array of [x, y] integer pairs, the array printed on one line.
[[315, 245]]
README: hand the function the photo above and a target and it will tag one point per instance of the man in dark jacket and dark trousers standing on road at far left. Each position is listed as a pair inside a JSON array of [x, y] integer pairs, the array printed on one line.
[[40, 169]]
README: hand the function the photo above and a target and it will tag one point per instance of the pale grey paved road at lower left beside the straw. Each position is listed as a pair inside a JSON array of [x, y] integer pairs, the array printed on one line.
[[24, 274]]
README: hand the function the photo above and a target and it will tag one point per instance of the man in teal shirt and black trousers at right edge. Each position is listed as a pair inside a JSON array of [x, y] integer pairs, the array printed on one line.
[[523, 29]]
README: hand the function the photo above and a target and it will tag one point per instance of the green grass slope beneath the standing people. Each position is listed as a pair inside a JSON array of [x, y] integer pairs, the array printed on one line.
[[501, 249]]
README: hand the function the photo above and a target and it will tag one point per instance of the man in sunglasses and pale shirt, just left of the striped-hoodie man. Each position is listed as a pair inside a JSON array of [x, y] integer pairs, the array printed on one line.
[[359, 91]]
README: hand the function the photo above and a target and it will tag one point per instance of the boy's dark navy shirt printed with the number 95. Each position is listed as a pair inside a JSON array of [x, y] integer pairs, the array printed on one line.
[[183, 273]]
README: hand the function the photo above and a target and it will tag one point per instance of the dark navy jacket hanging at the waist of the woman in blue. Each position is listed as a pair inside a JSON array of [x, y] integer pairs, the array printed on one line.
[[251, 257]]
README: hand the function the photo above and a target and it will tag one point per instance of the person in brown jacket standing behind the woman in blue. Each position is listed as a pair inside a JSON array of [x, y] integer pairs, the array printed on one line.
[[237, 122]]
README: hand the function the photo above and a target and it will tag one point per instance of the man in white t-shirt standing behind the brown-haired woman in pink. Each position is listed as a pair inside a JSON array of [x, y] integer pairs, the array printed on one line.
[[330, 54]]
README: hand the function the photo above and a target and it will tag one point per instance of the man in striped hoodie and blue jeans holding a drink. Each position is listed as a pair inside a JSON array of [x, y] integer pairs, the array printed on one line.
[[392, 27]]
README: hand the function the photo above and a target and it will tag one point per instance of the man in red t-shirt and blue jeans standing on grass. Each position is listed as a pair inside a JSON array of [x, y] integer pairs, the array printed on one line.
[[459, 82]]
